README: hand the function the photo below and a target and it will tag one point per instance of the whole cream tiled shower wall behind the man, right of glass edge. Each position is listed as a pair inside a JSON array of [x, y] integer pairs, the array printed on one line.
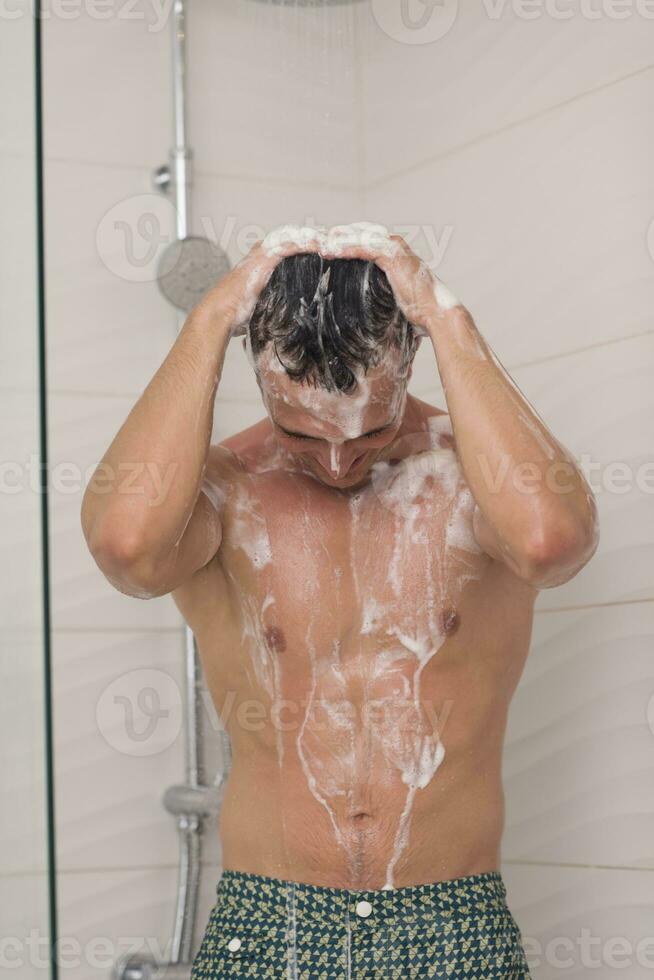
[[523, 148]]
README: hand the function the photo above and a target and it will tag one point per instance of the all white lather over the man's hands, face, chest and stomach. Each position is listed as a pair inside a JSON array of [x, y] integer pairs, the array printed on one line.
[[418, 507]]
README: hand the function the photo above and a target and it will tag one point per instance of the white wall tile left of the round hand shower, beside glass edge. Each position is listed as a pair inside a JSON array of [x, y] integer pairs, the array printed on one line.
[[108, 327]]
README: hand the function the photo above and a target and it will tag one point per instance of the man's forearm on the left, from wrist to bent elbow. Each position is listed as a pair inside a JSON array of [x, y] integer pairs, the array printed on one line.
[[142, 494]]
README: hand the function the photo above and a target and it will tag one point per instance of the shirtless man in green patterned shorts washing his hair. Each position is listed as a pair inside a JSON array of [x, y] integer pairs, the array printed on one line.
[[360, 570]]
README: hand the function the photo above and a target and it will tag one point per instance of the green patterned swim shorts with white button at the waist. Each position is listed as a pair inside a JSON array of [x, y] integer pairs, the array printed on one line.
[[262, 927]]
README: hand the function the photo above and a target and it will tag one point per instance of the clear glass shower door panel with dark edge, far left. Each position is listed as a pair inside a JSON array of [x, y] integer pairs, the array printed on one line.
[[25, 874]]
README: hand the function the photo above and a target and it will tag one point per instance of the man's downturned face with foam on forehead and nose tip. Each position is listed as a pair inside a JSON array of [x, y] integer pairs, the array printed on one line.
[[335, 436]]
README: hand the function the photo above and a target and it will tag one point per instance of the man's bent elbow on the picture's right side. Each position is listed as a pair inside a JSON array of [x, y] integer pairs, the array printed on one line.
[[557, 554]]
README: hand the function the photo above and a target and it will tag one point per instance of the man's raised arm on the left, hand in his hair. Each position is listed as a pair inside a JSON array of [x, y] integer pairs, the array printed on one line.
[[146, 518]]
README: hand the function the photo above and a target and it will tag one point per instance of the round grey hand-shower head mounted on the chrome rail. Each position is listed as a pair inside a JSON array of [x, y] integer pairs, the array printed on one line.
[[188, 268]]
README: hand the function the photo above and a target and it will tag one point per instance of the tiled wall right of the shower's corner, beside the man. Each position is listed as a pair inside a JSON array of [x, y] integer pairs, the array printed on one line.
[[526, 145]]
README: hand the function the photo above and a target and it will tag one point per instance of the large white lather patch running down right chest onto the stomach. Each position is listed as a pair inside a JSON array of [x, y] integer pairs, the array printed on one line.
[[336, 755]]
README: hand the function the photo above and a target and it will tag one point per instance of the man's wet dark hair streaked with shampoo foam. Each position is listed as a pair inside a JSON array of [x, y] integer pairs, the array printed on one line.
[[328, 318]]
